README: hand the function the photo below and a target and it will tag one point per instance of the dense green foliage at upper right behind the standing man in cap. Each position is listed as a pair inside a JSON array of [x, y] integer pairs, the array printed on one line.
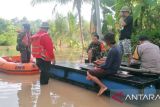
[[145, 13]]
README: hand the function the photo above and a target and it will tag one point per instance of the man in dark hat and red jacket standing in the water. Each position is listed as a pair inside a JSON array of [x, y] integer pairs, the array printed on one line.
[[42, 50]]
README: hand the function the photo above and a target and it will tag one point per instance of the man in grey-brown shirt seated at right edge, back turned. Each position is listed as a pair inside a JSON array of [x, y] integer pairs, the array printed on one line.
[[148, 53]]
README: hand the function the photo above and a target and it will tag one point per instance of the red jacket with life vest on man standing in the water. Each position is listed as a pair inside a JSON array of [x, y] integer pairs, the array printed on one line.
[[45, 49]]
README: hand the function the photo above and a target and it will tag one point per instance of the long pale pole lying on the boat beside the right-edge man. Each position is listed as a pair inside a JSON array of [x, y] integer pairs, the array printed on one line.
[[139, 70]]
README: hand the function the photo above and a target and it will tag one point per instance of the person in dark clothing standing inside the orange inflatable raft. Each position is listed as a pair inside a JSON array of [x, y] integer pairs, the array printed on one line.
[[23, 43]]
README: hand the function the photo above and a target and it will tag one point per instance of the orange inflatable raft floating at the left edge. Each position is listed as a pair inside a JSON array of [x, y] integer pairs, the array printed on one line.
[[12, 65]]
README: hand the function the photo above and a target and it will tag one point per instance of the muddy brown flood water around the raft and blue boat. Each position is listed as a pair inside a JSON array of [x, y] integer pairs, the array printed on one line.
[[25, 91]]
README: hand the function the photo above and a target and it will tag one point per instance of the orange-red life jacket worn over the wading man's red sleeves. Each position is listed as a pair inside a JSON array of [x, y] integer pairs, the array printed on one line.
[[38, 50]]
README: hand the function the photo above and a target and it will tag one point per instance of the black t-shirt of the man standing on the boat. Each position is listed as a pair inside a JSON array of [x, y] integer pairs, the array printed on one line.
[[127, 30]]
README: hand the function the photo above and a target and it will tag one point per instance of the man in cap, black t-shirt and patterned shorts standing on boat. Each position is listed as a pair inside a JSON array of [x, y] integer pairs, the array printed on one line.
[[126, 22]]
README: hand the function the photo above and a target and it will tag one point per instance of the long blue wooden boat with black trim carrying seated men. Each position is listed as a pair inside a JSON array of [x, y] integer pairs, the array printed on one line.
[[120, 82]]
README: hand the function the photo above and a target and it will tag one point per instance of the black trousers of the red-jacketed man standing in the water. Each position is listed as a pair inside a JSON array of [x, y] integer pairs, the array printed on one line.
[[44, 66]]
